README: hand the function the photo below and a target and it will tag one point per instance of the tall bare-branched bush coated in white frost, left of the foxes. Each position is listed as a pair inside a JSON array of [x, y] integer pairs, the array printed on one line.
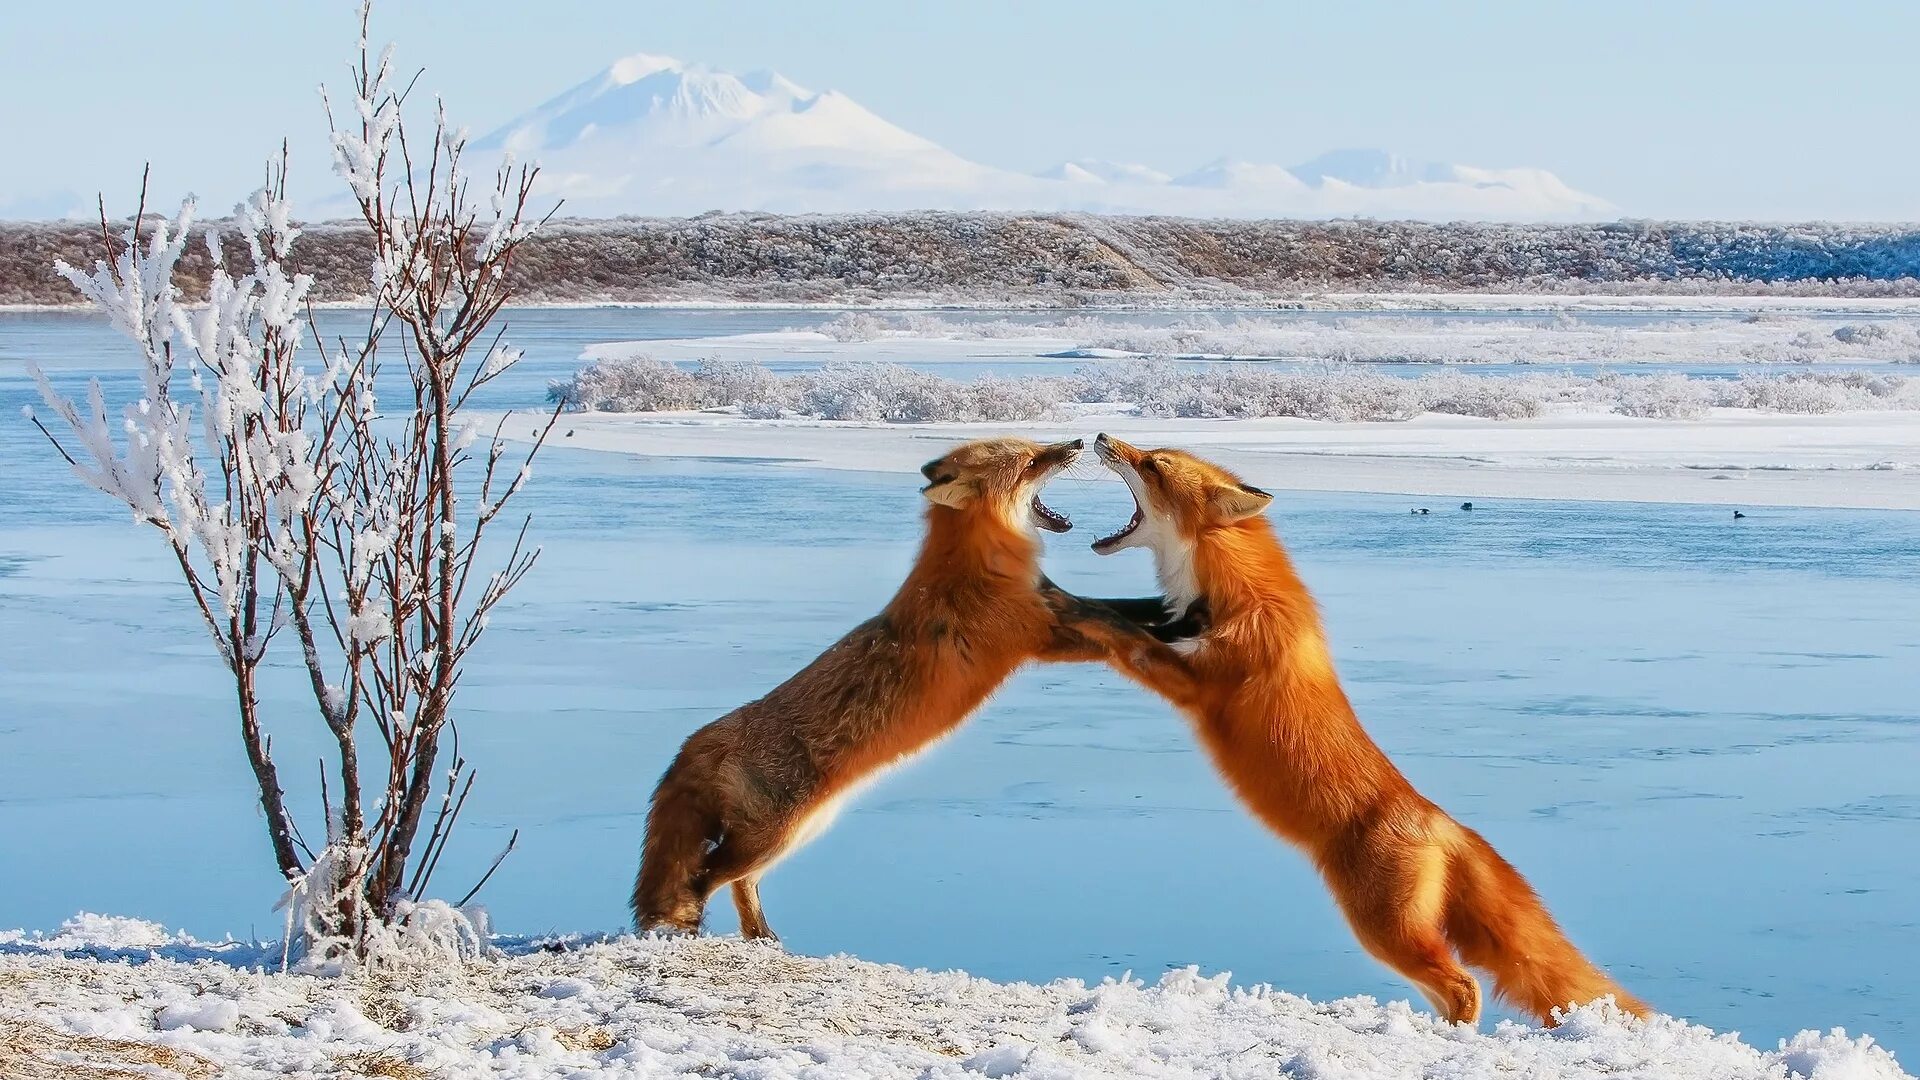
[[302, 503]]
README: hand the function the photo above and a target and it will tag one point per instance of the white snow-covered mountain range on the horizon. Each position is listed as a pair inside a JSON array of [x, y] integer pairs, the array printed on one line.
[[652, 135]]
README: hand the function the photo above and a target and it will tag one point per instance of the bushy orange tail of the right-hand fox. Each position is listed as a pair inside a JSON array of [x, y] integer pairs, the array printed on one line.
[[1499, 925]]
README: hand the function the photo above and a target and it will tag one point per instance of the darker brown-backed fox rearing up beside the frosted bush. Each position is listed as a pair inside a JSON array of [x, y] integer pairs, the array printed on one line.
[[765, 779]]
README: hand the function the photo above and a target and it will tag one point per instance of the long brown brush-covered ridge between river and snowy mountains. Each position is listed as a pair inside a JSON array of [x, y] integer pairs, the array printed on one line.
[[1084, 260]]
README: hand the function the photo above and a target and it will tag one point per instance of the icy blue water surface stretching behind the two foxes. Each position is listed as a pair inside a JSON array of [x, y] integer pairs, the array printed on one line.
[[1700, 741]]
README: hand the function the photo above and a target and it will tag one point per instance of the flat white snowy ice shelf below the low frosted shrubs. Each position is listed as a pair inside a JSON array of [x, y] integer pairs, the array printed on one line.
[[1731, 458]]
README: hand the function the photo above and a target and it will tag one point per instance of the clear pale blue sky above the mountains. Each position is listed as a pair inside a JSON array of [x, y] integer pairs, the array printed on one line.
[[1669, 110]]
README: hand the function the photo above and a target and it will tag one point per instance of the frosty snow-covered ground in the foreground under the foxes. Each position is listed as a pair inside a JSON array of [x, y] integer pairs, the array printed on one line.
[[729, 1008]]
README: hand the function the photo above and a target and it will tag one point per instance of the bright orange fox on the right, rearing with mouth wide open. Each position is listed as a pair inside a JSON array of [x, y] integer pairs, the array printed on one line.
[[1416, 887]]
